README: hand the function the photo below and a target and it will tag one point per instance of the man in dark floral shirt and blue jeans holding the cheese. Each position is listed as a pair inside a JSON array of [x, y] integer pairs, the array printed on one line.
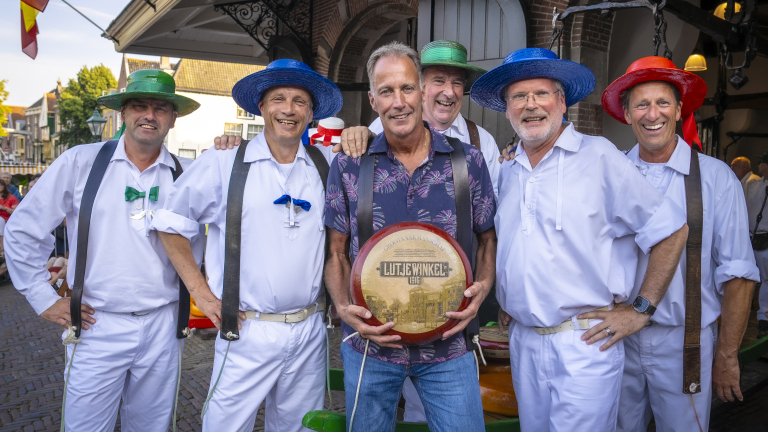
[[413, 182]]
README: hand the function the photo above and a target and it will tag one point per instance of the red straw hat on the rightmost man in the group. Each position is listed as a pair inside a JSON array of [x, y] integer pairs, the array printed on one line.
[[692, 89]]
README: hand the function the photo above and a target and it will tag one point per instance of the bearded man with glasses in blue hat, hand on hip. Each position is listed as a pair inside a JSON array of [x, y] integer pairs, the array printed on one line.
[[564, 199]]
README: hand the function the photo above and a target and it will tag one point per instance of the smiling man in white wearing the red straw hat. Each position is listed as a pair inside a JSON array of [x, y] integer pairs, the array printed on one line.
[[652, 97]]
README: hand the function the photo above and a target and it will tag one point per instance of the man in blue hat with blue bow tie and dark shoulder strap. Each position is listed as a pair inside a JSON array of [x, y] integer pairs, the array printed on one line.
[[276, 348]]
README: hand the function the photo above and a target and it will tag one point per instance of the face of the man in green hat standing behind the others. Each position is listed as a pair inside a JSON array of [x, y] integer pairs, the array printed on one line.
[[443, 93]]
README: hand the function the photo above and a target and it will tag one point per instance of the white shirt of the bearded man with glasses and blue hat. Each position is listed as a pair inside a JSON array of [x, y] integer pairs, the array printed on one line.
[[547, 273]]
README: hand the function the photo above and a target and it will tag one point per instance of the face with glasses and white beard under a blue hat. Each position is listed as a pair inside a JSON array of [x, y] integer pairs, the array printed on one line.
[[542, 115]]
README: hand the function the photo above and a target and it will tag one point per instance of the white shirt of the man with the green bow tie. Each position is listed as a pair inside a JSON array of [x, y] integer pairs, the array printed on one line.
[[127, 268]]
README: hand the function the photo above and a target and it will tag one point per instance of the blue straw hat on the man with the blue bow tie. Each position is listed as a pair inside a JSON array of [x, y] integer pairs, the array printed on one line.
[[326, 96]]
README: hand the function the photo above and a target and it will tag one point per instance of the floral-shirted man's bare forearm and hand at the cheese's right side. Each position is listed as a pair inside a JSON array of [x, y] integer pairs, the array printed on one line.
[[486, 273]]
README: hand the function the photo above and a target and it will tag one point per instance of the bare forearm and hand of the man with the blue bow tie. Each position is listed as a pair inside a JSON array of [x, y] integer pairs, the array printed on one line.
[[179, 251]]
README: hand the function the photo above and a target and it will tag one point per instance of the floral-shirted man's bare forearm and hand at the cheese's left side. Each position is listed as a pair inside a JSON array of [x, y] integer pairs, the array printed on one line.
[[337, 271]]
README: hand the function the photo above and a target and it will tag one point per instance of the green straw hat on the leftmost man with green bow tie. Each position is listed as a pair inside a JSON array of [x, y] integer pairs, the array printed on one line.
[[150, 84]]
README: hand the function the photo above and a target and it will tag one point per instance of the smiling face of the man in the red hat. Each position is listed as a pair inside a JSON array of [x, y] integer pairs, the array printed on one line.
[[653, 112]]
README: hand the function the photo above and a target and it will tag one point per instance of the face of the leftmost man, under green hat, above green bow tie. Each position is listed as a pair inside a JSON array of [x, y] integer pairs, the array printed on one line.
[[147, 121]]
